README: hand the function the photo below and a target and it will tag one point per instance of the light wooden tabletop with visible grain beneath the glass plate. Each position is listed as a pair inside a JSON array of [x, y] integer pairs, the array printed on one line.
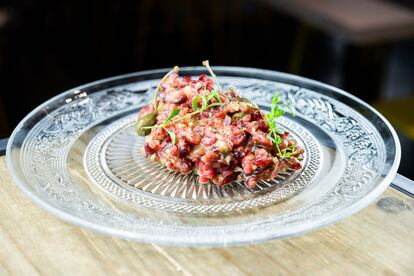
[[378, 240]]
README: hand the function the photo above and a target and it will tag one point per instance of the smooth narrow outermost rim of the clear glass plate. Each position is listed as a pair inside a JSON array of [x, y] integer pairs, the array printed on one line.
[[301, 229]]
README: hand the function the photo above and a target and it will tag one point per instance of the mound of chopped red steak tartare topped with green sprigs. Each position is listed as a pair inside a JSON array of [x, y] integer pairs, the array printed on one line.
[[194, 126]]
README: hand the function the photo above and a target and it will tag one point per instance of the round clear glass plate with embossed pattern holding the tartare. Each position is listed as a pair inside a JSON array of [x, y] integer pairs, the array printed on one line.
[[78, 157]]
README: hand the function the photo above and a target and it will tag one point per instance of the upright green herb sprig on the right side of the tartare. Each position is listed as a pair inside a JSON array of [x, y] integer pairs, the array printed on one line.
[[274, 130]]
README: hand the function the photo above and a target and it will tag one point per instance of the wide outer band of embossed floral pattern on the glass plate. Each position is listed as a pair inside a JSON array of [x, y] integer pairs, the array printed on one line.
[[48, 143]]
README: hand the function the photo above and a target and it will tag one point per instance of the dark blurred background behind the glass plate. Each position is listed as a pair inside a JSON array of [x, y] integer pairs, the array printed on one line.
[[363, 46]]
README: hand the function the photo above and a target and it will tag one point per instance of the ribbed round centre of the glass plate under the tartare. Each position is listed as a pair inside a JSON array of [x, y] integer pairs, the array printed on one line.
[[115, 161]]
